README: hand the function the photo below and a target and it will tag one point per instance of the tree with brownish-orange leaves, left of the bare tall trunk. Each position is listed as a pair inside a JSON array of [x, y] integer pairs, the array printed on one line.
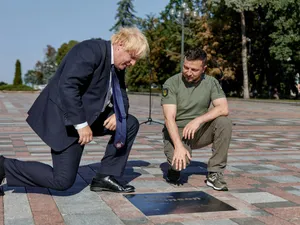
[[219, 34]]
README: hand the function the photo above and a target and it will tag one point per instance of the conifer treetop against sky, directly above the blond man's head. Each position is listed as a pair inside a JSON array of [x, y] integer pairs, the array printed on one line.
[[125, 15]]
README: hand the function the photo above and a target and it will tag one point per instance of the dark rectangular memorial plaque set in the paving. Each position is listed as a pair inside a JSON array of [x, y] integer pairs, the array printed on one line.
[[177, 203]]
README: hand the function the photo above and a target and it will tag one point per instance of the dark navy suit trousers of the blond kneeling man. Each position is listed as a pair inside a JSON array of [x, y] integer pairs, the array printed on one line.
[[65, 163]]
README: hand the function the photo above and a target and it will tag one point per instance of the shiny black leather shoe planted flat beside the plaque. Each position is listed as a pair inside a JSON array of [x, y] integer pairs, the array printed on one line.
[[109, 183]]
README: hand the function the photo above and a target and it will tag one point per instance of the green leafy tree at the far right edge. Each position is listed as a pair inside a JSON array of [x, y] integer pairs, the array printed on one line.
[[285, 36]]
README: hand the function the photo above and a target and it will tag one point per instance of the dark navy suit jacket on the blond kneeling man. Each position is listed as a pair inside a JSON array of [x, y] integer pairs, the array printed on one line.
[[75, 94]]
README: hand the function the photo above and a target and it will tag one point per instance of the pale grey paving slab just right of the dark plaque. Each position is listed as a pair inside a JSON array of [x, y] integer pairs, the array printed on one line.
[[258, 197]]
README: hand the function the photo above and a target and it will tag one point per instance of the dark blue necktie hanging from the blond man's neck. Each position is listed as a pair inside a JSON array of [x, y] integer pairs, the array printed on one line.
[[120, 135]]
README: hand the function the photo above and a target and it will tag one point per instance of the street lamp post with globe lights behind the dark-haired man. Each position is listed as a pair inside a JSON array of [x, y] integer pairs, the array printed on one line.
[[182, 16]]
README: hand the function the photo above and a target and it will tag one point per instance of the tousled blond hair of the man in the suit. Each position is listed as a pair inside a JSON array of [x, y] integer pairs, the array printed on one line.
[[133, 40]]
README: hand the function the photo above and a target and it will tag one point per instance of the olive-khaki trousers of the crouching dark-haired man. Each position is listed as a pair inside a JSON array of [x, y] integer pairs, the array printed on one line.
[[217, 132]]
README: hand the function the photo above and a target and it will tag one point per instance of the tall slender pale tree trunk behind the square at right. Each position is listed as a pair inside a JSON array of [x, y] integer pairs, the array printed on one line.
[[244, 56]]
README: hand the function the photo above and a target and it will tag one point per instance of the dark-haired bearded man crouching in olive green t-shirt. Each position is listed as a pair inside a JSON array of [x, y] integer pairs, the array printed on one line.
[[189, 124]]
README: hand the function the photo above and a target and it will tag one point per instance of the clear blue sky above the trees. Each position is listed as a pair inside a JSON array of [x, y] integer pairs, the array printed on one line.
[[28, 26]]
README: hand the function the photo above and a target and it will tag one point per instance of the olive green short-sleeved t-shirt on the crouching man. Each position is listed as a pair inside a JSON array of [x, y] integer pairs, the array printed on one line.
[[192, 100]]
